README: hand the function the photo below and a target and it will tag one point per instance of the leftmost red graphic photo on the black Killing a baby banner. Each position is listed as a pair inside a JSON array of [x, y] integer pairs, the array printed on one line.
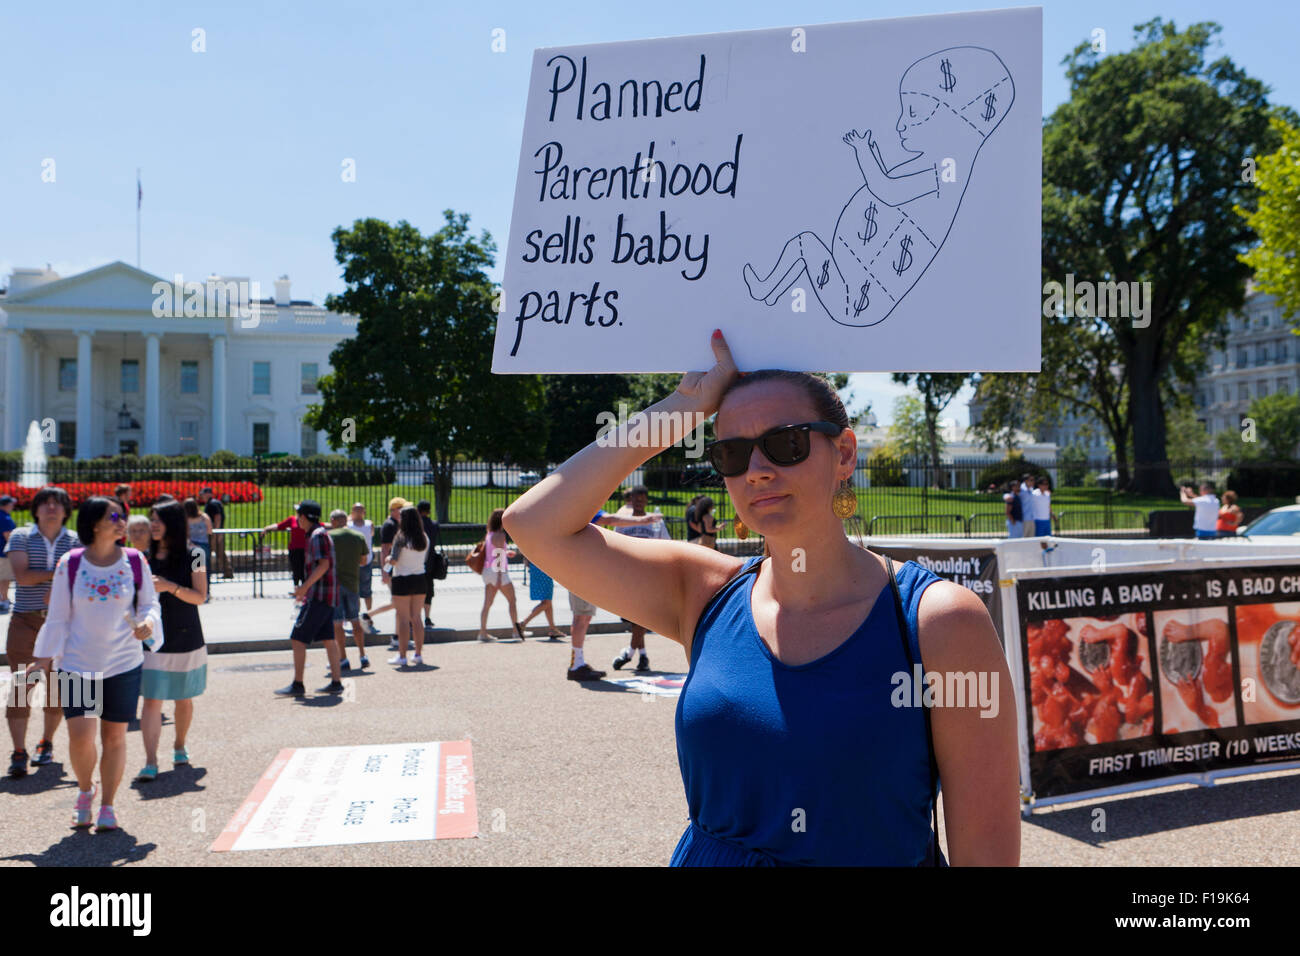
[[1090, 681]]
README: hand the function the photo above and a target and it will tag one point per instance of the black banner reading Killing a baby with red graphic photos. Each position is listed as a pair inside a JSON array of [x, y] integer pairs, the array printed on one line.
[[1139, 677]]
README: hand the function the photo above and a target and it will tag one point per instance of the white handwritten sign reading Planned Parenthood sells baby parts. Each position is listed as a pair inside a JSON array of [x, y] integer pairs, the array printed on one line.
[[850, 197]]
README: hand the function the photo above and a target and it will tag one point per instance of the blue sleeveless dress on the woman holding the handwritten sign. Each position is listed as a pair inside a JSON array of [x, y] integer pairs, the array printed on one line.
[[809, 764]]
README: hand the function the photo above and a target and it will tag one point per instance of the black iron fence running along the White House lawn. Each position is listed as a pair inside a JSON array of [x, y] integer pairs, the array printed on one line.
[[903, 496]]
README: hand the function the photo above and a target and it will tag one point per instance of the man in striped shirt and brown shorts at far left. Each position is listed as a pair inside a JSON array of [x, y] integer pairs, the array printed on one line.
[[34, 552]]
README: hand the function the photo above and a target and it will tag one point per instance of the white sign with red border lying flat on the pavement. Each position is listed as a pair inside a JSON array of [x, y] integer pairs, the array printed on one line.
[[322, 797]]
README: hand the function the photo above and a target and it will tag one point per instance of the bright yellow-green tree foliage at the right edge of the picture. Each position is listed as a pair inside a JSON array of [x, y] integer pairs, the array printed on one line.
[[1277, 220]]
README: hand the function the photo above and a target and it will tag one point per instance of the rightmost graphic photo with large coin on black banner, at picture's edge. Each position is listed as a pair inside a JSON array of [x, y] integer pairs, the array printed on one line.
[[1268, 638]]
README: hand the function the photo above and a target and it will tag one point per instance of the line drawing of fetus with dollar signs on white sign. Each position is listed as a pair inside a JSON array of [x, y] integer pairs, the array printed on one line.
[[895, 224]]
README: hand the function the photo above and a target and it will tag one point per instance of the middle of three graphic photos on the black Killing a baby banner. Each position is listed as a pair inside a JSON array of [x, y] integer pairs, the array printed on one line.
[[1195, 661]]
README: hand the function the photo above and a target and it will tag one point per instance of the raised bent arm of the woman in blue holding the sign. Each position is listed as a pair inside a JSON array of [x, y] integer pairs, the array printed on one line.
[[651, 582]]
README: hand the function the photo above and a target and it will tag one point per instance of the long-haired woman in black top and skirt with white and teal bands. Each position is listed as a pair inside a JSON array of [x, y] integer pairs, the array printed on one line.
[[179, 672]]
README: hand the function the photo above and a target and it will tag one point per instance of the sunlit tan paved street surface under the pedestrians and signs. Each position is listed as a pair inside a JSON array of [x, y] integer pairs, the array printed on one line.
[[566, 775]]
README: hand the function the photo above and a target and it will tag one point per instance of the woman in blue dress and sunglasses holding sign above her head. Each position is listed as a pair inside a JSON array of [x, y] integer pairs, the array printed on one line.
[[795, 741]]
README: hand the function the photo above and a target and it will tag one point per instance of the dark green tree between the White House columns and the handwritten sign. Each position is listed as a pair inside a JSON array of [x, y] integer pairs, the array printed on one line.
[[419, 370]]
